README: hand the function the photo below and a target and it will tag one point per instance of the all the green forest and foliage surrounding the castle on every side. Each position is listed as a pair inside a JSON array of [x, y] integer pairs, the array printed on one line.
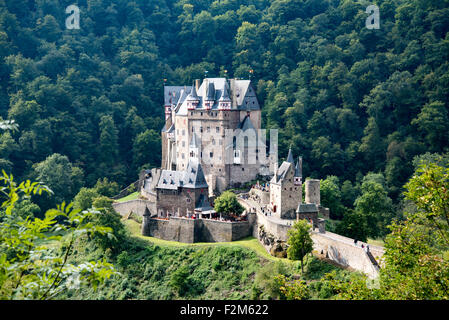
[[367, 110]]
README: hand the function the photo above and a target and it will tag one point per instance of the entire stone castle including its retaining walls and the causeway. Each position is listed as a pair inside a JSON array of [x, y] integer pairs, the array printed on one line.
[[211, 141]]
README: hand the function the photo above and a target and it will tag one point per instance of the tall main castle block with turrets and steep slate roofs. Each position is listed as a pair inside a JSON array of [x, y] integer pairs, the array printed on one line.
[[197, 123]]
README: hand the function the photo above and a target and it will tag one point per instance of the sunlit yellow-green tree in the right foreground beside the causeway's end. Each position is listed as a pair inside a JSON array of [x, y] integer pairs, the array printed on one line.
[[415, 265]]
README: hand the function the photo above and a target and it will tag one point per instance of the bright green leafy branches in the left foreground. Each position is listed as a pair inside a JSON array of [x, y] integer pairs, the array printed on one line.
[[28, 268]]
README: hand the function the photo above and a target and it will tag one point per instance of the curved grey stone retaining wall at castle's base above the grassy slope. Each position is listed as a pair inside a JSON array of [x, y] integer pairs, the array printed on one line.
[[196, 230]]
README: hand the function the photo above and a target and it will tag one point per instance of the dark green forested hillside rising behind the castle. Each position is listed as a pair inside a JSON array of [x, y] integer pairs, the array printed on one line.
[[349, 99]]
